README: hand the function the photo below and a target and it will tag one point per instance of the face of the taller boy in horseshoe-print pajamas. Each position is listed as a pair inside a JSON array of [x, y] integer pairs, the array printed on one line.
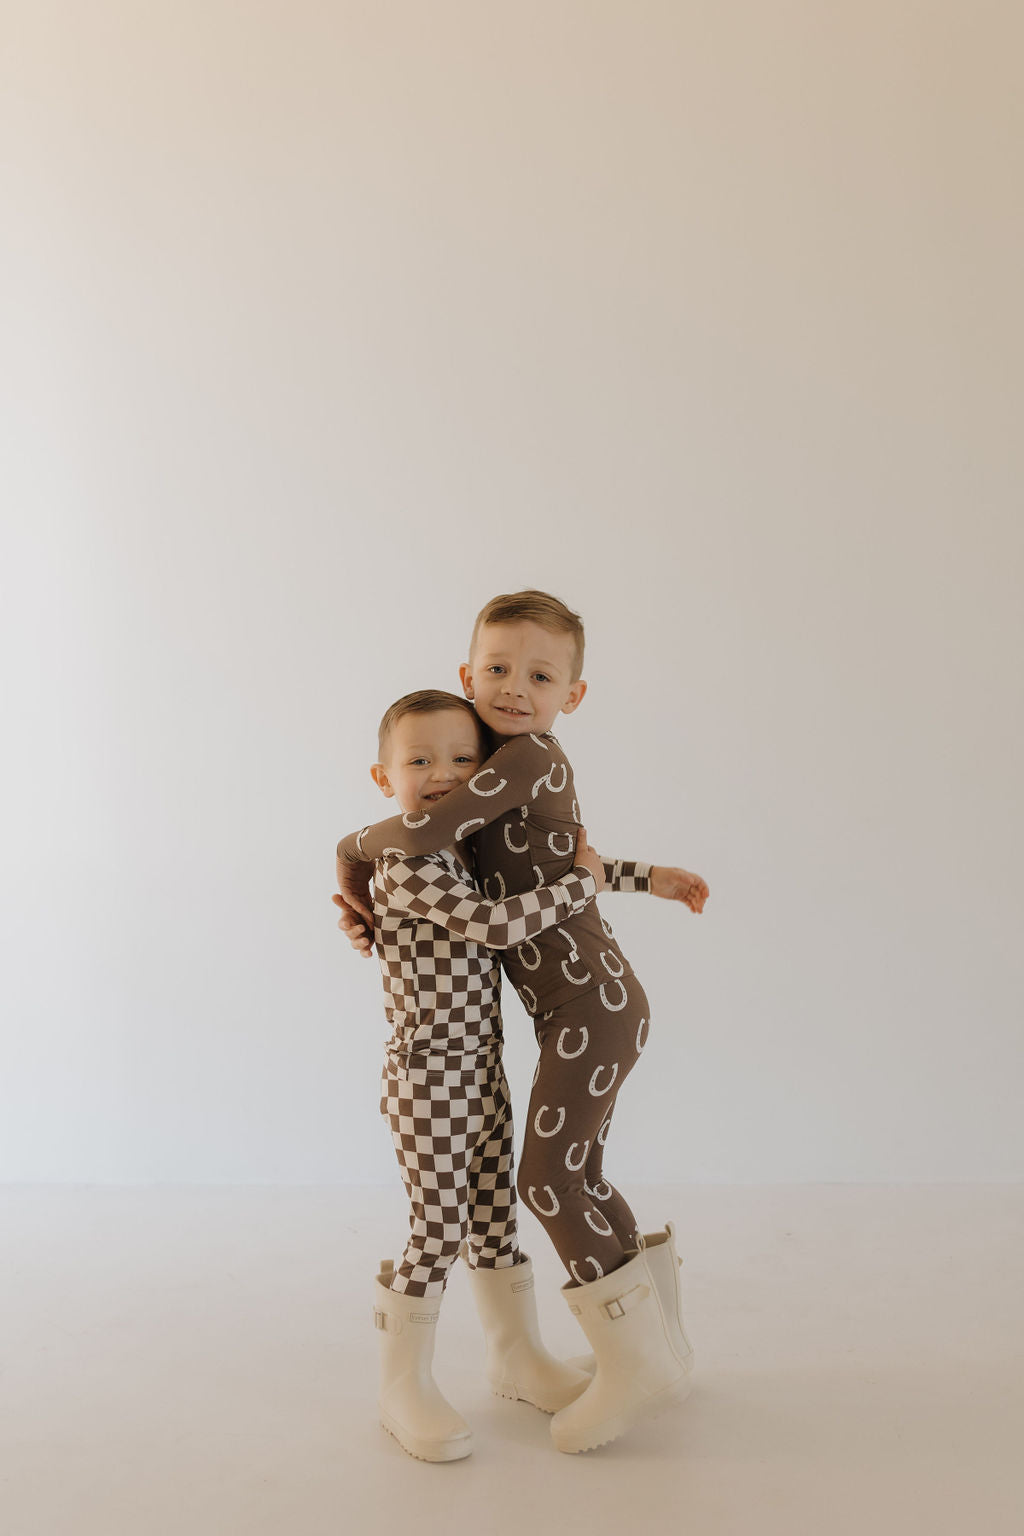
[[521, 678]]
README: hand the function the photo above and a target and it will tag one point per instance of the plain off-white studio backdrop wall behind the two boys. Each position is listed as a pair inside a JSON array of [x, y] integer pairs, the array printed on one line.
[[326, 323]]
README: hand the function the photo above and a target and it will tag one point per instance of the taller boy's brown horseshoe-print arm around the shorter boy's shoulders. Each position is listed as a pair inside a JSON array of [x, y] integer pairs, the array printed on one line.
[[514, 776]]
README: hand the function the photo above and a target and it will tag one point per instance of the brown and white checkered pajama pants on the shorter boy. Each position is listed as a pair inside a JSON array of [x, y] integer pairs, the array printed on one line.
[[454, 1137]]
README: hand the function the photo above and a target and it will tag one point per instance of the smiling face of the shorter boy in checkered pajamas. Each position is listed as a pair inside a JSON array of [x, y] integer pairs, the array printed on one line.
[[428, 755]]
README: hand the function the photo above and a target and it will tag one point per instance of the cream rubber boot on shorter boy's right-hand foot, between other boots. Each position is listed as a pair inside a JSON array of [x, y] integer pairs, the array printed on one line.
[[518, 1365]]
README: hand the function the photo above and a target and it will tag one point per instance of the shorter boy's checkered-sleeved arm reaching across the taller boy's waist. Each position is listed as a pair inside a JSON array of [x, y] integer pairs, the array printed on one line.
[[423, 889]]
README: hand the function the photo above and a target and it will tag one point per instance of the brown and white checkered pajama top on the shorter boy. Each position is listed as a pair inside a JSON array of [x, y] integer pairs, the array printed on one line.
[[437, 939]]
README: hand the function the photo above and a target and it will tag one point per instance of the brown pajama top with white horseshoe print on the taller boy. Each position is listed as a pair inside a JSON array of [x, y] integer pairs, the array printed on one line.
[[521, 816]]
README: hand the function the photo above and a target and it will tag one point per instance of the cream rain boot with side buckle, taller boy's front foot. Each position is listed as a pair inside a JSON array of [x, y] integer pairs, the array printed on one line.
[[639, 1369]]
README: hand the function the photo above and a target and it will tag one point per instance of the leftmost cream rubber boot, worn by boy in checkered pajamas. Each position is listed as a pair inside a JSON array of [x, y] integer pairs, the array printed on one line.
[[412, 1406]]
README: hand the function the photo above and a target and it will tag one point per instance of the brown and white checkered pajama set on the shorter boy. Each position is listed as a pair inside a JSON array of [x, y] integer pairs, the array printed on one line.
[[444, 1090]]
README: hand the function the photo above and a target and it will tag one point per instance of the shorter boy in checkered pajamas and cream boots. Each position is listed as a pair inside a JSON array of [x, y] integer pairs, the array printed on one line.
[[444, 1090]]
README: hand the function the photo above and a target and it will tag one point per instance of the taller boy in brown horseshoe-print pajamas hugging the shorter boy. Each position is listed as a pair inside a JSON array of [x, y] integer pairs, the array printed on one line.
[[592, 1016]]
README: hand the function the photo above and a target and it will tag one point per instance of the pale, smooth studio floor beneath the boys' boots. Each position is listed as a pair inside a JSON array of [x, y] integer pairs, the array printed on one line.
[[200, 1363]]
